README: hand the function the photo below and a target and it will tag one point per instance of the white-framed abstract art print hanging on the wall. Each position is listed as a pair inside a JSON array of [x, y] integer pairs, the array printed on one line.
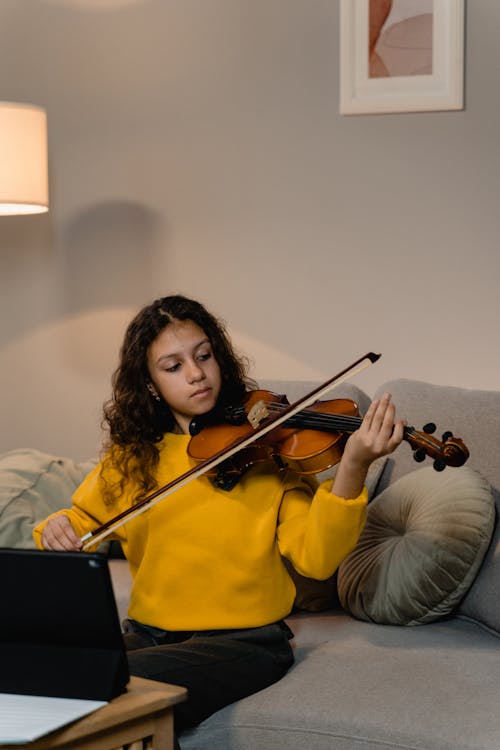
[[401, 55]]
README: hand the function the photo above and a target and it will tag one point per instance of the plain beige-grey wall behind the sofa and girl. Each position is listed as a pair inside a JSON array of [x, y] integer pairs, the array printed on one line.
[[197, 146]]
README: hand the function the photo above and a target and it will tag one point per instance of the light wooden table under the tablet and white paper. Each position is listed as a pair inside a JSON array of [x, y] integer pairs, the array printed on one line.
[[140, 718]]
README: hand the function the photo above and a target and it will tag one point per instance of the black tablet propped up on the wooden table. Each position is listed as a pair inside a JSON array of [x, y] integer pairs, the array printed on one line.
[[60, 632]]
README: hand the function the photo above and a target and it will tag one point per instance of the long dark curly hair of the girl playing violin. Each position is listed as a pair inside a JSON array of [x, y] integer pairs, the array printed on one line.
[[134, 420]]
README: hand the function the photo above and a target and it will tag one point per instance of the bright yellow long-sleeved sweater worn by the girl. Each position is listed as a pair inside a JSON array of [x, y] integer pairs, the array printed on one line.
[[203, 558]]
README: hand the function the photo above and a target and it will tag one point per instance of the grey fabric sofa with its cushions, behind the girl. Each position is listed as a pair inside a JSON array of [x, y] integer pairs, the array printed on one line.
[[399, 650]]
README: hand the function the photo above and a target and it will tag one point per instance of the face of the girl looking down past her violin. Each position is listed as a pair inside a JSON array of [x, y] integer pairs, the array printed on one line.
[[184, 371]]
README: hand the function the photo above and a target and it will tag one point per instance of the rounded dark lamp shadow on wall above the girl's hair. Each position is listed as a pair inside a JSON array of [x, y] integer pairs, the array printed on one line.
[[109, 256]]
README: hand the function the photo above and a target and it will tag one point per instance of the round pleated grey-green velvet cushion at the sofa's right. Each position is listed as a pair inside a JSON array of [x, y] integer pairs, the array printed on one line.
[[423, 543]]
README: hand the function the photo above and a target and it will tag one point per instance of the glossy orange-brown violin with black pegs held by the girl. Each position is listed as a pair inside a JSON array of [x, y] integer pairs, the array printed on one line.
[[309, 442]]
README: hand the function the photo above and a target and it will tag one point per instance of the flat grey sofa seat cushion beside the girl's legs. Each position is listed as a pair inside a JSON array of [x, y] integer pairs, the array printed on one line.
[[370, 687]]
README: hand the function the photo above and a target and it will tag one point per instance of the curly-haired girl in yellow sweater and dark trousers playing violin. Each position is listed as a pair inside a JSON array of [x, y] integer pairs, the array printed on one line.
[[210, 589]]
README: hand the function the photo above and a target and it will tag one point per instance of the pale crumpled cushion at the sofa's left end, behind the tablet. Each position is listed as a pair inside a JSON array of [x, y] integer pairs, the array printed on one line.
[[34, 484]]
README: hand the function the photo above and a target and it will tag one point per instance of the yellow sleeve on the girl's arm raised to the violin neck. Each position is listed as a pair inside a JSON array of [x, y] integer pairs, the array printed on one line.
[[317, 532]]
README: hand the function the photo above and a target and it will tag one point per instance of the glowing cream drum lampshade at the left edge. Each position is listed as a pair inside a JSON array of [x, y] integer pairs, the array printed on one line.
[[24, 185]]
